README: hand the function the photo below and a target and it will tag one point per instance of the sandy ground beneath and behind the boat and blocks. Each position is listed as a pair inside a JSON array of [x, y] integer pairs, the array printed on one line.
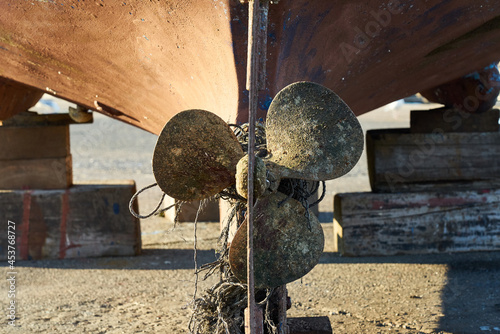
[[150, 293]]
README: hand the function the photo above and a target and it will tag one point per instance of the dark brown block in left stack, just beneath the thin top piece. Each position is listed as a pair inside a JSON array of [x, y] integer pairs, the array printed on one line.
[[34, 142]]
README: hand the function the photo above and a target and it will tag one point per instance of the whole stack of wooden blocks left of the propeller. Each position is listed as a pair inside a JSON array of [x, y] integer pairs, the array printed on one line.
[[54, 218]]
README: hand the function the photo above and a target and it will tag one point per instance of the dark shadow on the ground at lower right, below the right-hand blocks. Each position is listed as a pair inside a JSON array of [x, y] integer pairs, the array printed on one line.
[[470, 301]]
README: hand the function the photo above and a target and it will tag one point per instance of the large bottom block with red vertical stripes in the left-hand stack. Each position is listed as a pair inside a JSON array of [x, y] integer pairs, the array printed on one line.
[[85, 220]]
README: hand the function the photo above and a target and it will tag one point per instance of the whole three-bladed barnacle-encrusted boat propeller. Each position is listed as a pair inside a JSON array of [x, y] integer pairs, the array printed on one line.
[[311, 135]]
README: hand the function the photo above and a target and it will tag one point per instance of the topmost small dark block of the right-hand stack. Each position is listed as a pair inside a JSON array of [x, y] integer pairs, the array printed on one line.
[[453, 120]]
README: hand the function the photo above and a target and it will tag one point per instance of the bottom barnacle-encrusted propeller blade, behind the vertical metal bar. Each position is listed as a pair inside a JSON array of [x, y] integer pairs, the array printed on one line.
[[284, 247]]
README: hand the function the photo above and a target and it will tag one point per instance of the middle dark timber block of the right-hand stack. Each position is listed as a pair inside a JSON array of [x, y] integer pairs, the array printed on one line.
[[402, 161]]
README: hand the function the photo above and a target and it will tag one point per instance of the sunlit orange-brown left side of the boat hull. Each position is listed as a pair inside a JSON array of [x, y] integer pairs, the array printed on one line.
[[141, 62]]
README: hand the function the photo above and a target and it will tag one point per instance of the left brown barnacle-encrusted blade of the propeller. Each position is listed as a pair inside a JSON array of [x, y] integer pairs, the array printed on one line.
[[195, 156]]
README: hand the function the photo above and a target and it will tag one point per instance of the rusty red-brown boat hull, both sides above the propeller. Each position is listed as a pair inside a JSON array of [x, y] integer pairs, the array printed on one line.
[[143, 62]]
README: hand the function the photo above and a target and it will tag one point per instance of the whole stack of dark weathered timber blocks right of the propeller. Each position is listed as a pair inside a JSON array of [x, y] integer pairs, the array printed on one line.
[[436, 188]]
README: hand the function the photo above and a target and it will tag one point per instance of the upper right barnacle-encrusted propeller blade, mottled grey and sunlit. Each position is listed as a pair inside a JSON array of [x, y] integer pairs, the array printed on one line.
[[312, 133]]
